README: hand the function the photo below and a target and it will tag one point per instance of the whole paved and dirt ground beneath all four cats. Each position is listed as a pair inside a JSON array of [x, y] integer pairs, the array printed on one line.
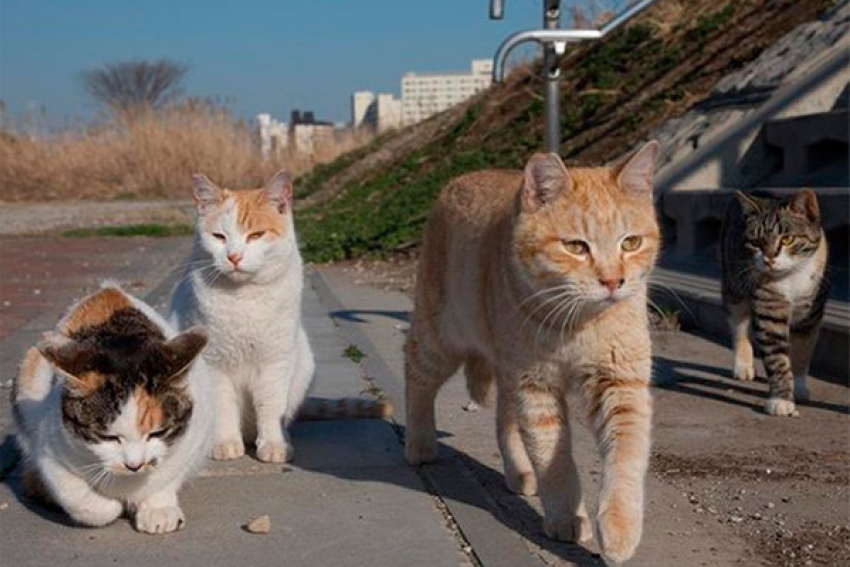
[[728, 484]]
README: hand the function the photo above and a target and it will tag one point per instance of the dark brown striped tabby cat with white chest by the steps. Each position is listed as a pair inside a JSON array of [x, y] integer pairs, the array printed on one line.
[[773, 257]]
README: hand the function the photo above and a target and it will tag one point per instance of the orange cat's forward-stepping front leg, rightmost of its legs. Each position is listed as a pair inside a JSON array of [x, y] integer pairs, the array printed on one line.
[[621, 412]]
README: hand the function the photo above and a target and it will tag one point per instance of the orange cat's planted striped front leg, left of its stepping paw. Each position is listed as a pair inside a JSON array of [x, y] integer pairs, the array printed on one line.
[[545, 430]]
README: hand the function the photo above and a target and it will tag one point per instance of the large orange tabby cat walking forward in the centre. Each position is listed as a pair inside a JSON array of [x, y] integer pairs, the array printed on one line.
[[536, 281]]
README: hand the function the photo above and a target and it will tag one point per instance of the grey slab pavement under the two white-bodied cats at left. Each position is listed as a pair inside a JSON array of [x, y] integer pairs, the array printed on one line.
[[348, 499]]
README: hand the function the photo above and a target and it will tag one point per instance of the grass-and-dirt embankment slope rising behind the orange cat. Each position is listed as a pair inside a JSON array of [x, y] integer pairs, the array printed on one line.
[[615, 93]]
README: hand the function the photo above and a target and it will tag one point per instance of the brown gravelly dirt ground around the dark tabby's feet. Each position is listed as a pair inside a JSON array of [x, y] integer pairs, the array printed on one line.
[[779, 485]]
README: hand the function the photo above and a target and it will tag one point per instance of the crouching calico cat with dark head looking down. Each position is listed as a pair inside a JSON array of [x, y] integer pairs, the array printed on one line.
[[113, 411]]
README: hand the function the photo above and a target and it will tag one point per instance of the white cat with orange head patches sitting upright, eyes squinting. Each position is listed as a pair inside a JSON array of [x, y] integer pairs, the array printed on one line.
[[244, 283]]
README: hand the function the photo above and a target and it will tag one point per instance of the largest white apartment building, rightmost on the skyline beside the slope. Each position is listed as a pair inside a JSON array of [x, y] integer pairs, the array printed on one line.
[[425, 94]]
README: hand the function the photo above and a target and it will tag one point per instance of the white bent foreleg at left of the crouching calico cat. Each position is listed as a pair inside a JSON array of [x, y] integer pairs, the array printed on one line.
[[76, 497]]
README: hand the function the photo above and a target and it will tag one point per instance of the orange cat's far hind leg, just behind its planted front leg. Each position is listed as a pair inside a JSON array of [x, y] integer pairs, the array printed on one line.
[[519, 474]]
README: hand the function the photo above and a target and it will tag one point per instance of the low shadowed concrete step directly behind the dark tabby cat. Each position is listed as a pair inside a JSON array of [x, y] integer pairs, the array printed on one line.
[[697, 300]]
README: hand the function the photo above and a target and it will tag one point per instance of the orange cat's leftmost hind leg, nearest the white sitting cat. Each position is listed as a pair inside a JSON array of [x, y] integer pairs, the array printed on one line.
[[426, 368]]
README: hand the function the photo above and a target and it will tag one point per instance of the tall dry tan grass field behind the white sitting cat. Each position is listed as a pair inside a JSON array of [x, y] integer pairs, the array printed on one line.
[[151, 155]]
